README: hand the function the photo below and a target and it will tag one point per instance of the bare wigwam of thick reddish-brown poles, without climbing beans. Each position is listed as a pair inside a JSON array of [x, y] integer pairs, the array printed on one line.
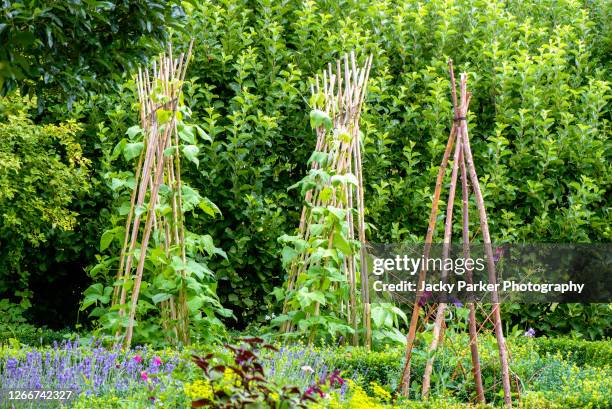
[[463, 162]]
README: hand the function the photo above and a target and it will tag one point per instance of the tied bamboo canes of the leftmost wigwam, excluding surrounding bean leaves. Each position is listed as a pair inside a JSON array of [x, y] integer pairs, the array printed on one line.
[[159, 93]]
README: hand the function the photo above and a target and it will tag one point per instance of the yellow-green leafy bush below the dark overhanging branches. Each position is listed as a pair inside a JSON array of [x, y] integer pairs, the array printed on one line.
[[42, 171]]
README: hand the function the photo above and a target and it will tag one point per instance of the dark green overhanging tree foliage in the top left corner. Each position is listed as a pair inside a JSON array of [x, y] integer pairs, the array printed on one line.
[[80, 46]]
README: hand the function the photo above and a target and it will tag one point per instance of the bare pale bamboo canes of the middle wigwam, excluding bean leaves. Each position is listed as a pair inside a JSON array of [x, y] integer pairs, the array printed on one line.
[[339, 92]]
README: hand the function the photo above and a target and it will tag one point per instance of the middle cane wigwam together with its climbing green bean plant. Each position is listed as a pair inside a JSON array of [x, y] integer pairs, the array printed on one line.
[[327, 284]]
